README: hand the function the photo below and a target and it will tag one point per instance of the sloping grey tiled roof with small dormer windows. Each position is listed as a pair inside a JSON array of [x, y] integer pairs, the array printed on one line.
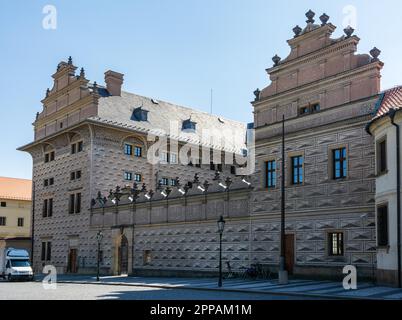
[[118, 111]]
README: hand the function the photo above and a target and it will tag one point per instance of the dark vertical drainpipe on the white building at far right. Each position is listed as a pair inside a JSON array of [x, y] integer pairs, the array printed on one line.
[[392, 114]]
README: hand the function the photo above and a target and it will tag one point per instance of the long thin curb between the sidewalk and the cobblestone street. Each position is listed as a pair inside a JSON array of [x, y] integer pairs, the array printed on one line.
[[161, 286]]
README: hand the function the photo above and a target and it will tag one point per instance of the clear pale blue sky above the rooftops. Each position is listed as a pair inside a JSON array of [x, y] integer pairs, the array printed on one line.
[[173, 50]]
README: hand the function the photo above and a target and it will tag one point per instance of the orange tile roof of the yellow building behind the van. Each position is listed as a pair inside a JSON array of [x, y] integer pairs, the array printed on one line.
[[15, 189]]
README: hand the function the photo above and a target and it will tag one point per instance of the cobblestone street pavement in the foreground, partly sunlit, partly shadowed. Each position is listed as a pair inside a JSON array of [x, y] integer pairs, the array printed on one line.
[[70, 291]]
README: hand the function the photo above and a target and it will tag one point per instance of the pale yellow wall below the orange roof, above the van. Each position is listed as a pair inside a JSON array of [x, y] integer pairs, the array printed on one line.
[[15, 209]]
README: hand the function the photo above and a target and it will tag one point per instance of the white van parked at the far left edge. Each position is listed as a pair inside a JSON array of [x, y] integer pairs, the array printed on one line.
[[15, 265]]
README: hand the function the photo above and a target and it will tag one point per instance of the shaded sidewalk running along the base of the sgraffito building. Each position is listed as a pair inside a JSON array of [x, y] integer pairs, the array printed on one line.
[[307, 288]]
